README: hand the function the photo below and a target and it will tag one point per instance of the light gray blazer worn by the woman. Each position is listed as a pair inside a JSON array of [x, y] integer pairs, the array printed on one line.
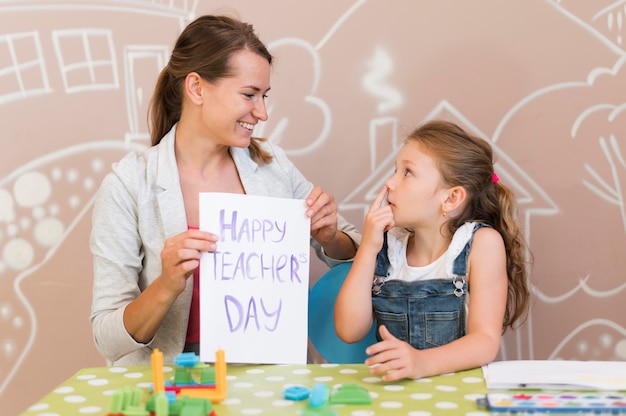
[[138, 206]]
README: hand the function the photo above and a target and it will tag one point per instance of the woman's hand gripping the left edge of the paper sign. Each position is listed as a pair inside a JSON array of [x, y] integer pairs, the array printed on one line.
[[181, 256]]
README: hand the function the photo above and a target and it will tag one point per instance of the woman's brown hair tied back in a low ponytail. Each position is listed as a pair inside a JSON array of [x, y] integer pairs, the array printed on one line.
[[205, 46]]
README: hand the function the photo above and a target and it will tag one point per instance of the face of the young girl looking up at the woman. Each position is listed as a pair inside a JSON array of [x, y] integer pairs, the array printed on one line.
[[415, 191]]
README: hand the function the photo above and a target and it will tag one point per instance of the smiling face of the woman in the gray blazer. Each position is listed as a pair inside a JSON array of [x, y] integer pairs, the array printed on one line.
[[233, 106]]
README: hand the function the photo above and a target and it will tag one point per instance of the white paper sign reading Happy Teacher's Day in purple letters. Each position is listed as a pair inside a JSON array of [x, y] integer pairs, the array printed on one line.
[[254, 288]]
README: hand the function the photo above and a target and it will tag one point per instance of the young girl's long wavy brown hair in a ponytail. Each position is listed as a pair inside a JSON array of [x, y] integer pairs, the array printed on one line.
[[467, 161]]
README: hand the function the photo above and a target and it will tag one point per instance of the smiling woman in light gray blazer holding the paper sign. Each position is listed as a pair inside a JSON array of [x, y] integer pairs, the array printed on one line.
[[145, 239]]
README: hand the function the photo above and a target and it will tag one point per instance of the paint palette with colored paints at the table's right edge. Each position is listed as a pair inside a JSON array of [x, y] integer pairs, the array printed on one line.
[[557, 402]]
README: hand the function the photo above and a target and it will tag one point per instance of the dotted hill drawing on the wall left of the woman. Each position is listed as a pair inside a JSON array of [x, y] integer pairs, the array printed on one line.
[[40, 205]]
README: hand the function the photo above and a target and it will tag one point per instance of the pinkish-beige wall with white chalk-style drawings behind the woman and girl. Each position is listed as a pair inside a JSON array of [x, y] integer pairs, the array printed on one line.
[[543, 80]]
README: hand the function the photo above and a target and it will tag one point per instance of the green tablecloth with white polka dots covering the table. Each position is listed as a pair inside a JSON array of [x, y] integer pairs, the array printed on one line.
[[258, 390]]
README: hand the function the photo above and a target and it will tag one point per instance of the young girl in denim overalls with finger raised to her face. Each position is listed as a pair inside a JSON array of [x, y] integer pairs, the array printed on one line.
[[441, 262]]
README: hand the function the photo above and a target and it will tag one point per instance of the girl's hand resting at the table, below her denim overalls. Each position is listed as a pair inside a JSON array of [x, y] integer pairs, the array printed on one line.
[[391, 357]]
